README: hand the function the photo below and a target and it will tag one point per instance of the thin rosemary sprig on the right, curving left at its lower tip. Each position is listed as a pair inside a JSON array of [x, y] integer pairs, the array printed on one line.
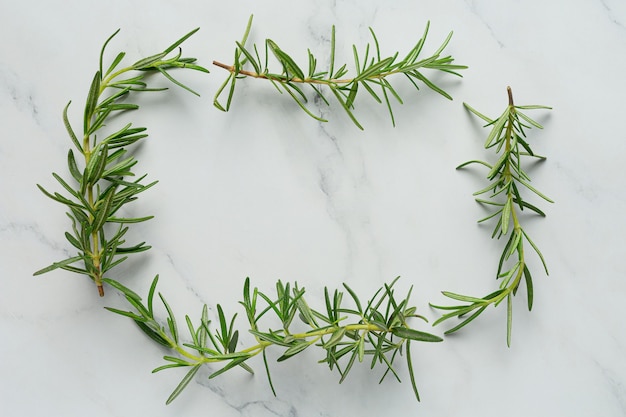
[[507, 178]]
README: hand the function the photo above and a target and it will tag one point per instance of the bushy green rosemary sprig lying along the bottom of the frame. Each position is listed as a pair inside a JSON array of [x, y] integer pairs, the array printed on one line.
[[378, 329]]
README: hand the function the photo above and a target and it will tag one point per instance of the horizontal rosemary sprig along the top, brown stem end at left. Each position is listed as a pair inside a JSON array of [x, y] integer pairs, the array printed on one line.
[[372, 72]]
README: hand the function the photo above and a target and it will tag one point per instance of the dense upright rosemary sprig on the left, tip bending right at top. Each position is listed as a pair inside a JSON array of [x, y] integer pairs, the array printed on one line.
[[100, 188]]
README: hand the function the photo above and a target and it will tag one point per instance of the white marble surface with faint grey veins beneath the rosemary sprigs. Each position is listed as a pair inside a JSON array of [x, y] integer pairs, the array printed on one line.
[[264, 191]]
